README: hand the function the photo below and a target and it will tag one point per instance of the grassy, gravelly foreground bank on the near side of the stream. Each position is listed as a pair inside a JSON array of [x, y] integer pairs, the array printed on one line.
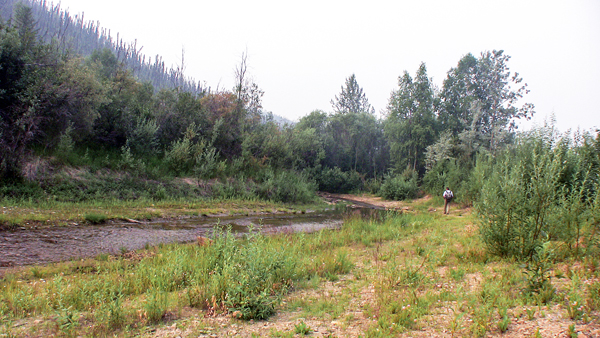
[[414, 274]]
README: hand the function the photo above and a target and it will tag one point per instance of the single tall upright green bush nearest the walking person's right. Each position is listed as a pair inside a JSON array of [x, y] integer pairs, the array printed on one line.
[[518, 199]]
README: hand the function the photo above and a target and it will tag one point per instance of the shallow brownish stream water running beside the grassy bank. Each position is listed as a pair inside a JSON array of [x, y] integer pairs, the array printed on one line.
[[39, 246]]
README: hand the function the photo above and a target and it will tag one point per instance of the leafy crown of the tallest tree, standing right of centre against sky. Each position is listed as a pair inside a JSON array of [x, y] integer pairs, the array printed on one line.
[[479, 101]]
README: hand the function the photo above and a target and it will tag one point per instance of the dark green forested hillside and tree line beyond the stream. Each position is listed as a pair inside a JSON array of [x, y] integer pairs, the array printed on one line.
[[71, 96]]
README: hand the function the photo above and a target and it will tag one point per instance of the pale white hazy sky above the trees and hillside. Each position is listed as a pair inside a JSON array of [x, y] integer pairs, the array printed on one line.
[[301, 52]]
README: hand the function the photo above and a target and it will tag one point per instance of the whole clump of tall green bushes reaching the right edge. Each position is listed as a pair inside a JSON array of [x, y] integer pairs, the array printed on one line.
[[535, 190]]
